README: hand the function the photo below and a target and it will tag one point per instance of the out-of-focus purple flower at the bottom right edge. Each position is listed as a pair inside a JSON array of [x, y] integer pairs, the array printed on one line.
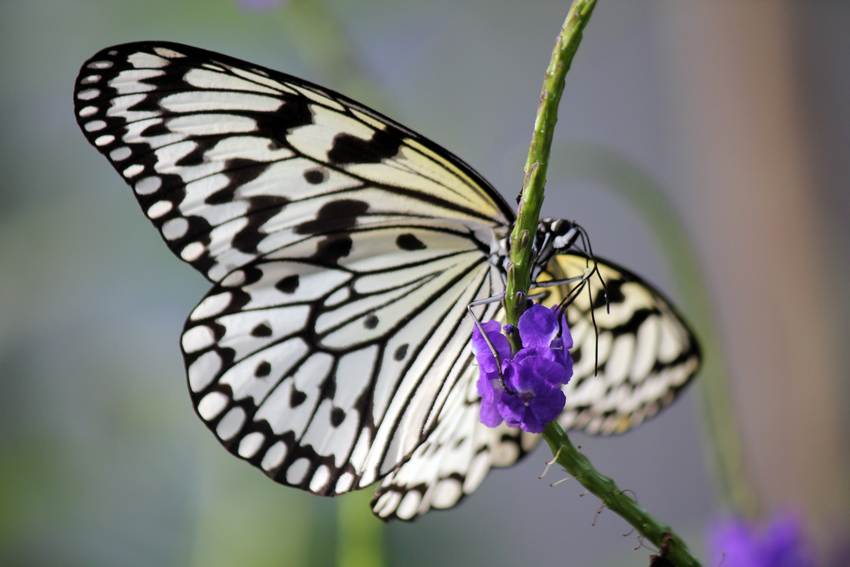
[[780, 544]]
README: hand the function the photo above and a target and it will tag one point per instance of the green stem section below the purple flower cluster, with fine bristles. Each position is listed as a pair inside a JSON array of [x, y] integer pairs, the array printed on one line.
[[615, 499]]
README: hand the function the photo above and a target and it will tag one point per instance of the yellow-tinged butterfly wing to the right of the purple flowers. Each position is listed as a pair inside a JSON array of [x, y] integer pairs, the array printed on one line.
[[646, 352]]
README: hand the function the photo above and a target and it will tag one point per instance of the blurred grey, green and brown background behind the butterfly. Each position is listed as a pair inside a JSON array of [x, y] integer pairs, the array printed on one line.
[[732, 115]]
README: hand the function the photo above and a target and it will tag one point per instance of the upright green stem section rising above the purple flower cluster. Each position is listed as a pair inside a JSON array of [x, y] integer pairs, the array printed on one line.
[[528, 213]]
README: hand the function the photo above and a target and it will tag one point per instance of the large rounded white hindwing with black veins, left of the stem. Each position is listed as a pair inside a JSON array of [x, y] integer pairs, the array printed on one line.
[[328, 377]]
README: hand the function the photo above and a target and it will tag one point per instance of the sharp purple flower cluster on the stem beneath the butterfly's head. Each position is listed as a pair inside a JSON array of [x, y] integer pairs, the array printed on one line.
[[535, 374]]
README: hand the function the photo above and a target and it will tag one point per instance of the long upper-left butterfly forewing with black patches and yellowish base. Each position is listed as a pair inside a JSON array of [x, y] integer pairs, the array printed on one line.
[[231, 161]]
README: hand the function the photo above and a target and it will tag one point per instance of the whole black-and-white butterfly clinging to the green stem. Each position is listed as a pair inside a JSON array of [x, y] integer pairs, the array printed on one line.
[[333, 349]]
